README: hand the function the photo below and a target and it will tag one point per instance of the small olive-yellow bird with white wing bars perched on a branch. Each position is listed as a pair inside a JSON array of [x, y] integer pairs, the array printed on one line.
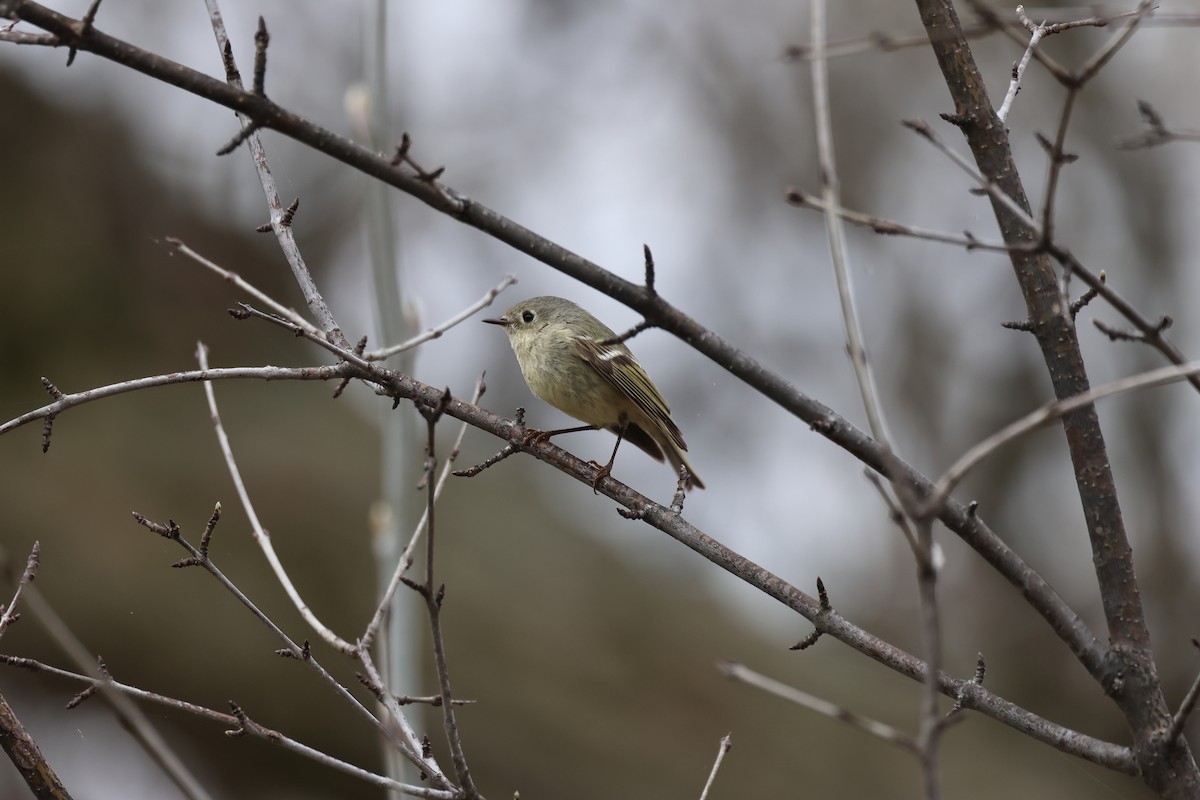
[[566, 362]]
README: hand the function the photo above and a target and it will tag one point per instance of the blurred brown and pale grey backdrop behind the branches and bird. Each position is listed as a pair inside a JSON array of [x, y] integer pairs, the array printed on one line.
[[589, 642]]
